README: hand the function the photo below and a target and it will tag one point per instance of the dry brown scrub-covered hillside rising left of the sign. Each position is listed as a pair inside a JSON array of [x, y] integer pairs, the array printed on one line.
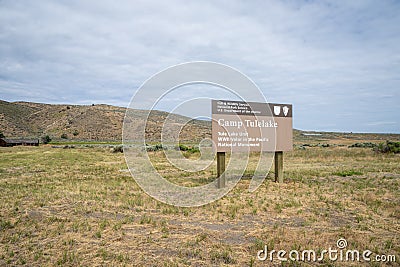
[[85, 122]]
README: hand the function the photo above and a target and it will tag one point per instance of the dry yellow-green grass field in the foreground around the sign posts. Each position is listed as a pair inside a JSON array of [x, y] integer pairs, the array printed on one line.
[[81, 207]]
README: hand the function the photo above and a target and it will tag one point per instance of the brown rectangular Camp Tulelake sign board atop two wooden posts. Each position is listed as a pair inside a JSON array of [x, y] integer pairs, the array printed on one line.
[[251, 126]]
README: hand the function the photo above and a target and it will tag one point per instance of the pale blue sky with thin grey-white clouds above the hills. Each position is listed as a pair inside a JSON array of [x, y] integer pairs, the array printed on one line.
[[337, 62]]
